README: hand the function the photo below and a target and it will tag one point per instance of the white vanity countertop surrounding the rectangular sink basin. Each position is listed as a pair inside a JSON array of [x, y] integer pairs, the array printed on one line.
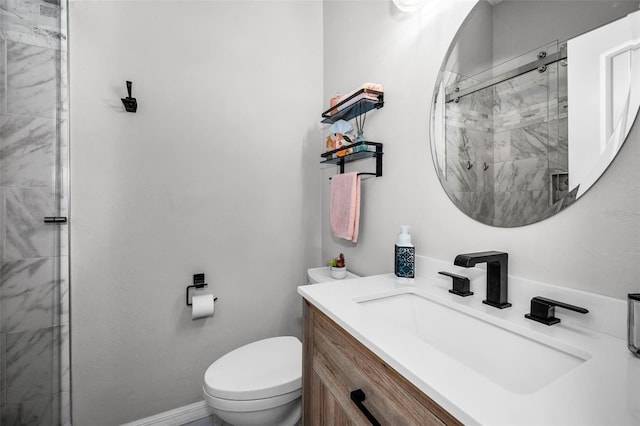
[[603, 390]]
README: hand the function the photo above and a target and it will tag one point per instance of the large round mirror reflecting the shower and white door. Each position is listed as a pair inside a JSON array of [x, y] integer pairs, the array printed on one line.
[[533, 101]]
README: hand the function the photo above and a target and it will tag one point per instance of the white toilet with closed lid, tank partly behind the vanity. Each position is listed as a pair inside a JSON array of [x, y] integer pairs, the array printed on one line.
[[260, 384]]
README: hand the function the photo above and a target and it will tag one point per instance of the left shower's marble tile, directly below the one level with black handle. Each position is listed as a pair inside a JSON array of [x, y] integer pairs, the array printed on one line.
[[31, 294]]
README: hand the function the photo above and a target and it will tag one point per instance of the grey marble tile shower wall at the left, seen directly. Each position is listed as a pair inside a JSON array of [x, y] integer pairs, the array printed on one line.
[[34, 296]]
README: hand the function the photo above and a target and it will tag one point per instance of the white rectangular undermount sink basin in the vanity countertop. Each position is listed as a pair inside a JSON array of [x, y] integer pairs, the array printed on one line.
[[516, 361]]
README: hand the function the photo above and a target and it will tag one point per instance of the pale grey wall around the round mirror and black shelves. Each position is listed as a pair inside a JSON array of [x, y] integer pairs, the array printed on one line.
[[593, 245]]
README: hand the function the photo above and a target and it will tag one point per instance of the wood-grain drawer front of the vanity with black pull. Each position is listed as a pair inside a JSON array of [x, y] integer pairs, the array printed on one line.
[[344, 365]]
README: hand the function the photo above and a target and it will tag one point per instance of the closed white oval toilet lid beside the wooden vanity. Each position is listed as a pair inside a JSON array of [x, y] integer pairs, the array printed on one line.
[[261, 369]]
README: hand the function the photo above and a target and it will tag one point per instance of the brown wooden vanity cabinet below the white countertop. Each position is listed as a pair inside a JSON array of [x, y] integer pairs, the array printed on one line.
[[335, 364]]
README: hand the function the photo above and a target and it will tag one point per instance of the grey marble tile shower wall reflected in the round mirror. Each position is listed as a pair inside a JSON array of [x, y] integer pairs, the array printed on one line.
[[513, 135]]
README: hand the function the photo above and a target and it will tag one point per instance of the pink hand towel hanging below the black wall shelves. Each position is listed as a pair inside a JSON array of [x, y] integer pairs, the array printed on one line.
[[345, 206]]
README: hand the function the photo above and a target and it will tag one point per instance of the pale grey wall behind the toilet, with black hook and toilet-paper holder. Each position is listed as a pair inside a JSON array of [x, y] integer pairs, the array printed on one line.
[[217, 172]]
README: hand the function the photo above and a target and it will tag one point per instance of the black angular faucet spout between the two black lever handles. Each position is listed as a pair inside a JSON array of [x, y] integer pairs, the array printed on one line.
[[497, 273]]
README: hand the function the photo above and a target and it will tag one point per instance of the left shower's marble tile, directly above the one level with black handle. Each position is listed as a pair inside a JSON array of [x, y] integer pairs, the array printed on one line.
[[27, 151]]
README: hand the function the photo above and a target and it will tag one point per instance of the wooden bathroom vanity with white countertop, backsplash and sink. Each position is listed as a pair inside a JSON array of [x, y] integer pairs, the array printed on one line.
[[376, 352]]
